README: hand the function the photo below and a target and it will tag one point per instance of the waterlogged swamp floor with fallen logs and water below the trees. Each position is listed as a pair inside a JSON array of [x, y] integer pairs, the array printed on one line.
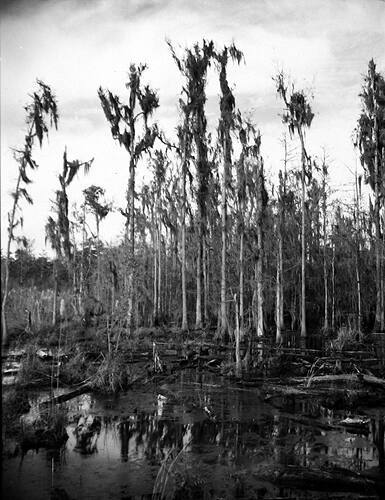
[[181, 424]]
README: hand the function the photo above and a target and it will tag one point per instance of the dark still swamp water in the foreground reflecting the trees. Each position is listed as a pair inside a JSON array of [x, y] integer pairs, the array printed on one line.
[[194, 437]]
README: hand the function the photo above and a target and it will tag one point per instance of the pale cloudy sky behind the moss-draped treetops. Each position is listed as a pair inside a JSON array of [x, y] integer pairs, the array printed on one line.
[[76, 46]]
